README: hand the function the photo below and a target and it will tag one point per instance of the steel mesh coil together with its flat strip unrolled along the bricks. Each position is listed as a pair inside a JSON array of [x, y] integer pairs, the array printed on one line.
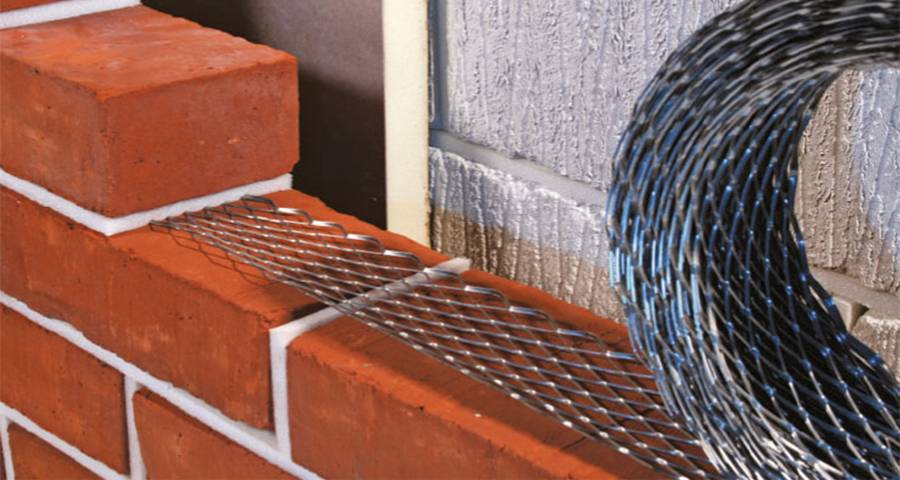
[[744, 367]]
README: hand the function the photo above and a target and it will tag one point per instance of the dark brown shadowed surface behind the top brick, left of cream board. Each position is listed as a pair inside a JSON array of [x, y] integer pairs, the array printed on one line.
[[338, 44]]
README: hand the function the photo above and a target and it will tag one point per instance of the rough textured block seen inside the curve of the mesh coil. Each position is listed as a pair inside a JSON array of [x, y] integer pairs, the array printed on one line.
[[847, 201]]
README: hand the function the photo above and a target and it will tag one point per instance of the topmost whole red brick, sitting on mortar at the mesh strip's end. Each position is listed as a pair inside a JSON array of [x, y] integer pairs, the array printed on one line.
[[132, 109]]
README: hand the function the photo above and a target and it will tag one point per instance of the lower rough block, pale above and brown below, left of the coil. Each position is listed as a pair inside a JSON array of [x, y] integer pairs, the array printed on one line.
[[521, 230]]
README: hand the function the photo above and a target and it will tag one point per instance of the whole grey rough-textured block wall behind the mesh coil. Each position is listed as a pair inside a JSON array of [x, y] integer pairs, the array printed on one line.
[[542, 89]]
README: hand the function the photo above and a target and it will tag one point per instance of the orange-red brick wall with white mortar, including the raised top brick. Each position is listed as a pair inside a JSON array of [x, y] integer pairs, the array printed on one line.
[[145, 355]]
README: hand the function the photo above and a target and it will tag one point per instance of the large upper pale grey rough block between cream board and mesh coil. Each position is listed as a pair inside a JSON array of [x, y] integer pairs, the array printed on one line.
[[554, 81]]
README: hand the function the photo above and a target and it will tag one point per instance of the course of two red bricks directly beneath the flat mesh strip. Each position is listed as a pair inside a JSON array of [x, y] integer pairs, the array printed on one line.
[[361, 404]]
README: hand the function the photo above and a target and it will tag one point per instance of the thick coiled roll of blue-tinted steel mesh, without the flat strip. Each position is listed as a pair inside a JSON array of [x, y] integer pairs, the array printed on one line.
[[745, 345]]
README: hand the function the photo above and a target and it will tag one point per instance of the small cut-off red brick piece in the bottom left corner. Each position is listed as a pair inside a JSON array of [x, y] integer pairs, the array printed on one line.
[[35, 459]]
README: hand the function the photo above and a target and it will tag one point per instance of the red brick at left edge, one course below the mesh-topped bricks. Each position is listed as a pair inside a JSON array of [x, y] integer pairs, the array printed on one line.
[[63, 389]]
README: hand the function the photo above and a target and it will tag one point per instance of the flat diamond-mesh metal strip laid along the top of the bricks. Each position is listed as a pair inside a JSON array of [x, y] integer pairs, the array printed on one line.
[[570, 374]]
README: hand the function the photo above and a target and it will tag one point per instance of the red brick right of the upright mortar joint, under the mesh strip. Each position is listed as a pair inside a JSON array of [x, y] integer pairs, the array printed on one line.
[[363, 405]]
